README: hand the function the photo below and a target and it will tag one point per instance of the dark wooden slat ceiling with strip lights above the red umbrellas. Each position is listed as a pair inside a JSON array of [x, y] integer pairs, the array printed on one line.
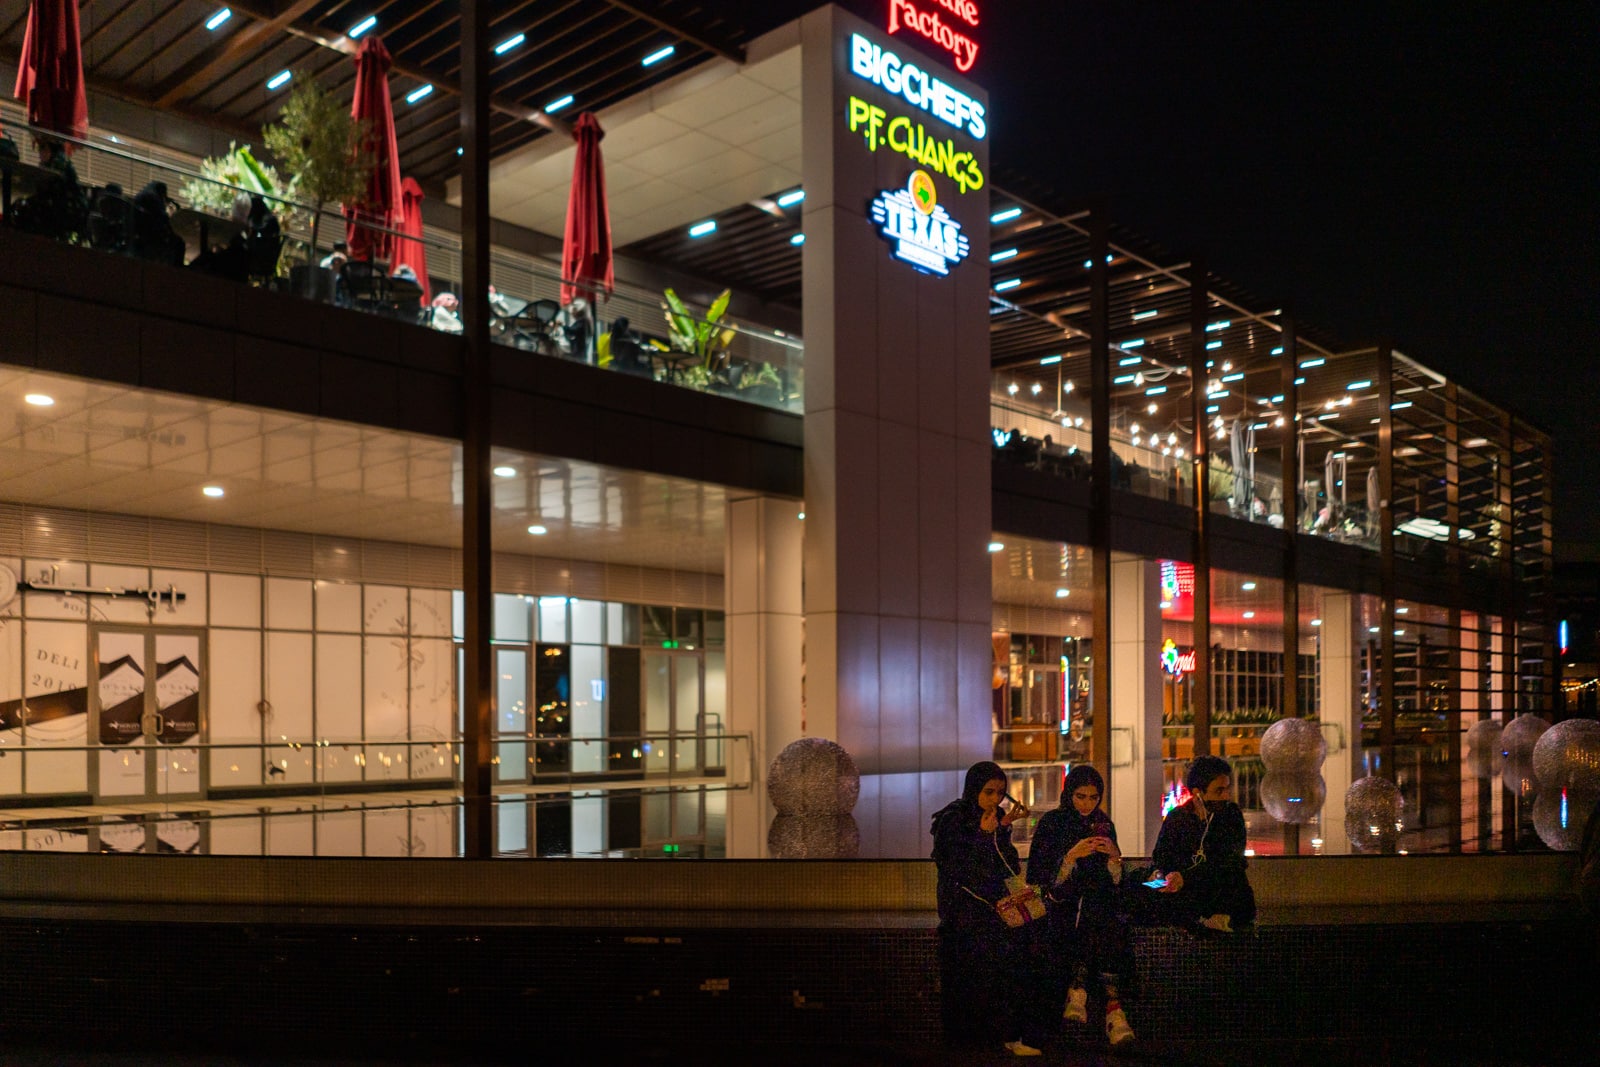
[[161, 54]]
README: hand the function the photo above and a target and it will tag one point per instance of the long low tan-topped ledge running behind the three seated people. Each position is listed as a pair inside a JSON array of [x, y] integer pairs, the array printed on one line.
[[1362, 889]]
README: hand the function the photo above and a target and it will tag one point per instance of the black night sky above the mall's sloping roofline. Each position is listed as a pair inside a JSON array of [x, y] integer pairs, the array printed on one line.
[[1417, 174]]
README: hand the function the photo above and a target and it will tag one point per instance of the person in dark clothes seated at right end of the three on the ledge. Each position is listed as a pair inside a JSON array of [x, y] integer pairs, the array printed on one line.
[[1201, 852]]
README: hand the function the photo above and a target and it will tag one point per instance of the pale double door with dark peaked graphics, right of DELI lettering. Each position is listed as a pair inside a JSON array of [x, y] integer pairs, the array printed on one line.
[[150, 703]]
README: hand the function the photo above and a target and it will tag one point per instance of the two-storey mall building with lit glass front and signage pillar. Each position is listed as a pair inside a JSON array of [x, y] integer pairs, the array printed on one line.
[[1028, 490]]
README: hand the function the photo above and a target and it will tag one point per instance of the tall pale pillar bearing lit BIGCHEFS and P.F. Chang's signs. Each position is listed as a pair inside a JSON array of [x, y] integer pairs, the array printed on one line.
[[897, 402]]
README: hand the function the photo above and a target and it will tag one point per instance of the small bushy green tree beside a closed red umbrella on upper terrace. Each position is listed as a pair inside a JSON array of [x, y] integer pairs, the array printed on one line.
[[319, 145]]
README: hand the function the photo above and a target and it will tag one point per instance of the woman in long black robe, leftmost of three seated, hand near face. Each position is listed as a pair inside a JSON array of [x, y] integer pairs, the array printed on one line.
[[988, 969]]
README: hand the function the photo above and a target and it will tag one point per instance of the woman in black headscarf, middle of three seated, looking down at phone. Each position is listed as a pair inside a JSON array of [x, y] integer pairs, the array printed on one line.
[[1078, 866]]
